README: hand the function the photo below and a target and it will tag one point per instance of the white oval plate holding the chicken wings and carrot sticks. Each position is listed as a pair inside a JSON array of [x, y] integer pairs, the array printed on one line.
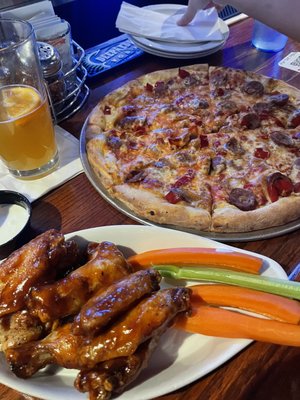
[[180, 358]]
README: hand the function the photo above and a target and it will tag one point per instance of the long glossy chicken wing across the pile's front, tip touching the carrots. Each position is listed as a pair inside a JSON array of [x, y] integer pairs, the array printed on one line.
[[150, 317]]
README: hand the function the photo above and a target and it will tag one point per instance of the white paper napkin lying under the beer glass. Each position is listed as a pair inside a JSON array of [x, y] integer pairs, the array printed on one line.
[[69, 166]]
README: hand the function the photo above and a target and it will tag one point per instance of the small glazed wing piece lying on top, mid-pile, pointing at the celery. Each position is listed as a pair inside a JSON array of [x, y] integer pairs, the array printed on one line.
[[109, 302]]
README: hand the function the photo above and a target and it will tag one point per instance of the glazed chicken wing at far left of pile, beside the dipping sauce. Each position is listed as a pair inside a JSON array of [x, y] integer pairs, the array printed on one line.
[[40, 260]]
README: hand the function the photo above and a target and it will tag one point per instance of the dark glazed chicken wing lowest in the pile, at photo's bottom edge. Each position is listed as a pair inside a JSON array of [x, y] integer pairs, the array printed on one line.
[[112, 376]]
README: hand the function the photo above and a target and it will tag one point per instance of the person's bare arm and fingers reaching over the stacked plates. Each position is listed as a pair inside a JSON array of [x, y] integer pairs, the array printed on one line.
[[282, 15]]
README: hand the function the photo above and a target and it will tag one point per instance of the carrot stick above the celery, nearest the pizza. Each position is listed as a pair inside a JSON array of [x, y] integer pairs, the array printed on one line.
[[221, 258]]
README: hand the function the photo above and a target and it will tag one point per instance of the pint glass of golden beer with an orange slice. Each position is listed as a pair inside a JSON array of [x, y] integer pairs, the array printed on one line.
[[27, 138]]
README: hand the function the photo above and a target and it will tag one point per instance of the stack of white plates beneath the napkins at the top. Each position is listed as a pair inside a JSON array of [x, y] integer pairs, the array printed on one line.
[[179, 50]]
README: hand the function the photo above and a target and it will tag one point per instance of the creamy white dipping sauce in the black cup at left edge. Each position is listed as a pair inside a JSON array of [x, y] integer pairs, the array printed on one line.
[[13, 218]]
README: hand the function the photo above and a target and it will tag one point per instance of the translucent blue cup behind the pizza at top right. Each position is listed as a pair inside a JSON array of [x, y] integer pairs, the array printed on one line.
[[267, 39]]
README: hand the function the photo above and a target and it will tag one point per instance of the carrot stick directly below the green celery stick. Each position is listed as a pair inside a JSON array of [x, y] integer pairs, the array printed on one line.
[[270, 305]]
